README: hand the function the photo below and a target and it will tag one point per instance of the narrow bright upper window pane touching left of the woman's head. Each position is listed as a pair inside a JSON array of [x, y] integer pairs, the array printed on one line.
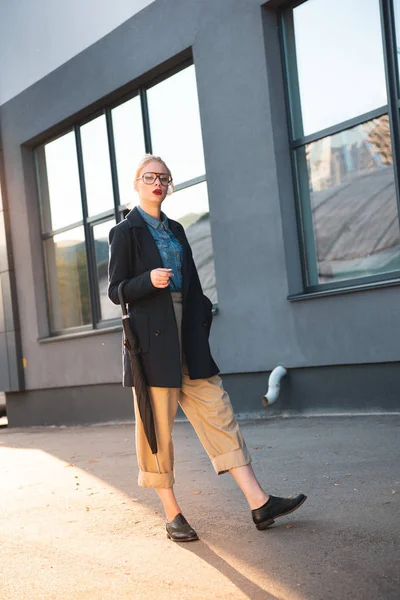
[[129, 145]]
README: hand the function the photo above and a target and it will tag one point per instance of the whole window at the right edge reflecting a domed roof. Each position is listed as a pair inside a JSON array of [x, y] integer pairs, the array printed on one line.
[[342, 126]]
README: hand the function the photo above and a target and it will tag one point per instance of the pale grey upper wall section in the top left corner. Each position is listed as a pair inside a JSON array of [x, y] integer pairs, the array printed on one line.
[[38, 36]]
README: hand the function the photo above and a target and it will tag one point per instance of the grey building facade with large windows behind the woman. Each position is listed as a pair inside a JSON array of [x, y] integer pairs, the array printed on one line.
[[280, 122]]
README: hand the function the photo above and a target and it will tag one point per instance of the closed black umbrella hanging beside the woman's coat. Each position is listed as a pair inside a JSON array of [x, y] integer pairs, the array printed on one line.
[[138, 375]]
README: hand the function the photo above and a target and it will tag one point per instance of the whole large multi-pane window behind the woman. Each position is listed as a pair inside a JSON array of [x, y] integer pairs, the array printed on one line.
[[85, 179]]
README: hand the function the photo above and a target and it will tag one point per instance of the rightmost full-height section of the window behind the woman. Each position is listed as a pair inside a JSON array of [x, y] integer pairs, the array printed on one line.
[[176, 136]]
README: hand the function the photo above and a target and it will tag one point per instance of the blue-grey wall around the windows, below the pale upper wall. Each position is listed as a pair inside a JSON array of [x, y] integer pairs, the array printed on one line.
[[235, 51]]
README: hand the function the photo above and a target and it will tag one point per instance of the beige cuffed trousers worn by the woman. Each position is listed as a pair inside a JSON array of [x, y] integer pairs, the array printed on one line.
[[209, 410]]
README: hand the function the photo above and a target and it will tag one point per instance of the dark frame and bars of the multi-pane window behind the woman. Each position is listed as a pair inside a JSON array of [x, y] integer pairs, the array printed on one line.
[[117, 212]]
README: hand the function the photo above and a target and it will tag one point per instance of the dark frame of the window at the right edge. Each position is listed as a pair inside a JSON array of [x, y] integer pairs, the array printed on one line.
[[306, 238]]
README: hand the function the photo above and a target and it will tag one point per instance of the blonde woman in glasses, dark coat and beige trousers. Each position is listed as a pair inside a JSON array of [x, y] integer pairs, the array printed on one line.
[[171, 318]]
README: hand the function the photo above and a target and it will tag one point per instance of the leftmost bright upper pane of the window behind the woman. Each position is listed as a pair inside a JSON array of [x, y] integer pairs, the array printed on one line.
[[59, 183]]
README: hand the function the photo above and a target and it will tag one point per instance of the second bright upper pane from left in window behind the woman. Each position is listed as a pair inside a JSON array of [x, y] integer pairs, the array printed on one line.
[[96, 161]]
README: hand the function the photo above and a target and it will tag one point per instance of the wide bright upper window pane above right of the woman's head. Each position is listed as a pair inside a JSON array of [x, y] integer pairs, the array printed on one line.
[[175, 125]]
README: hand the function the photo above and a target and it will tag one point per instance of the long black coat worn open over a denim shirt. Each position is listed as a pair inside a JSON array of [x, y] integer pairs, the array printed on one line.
[[133, 254]]
